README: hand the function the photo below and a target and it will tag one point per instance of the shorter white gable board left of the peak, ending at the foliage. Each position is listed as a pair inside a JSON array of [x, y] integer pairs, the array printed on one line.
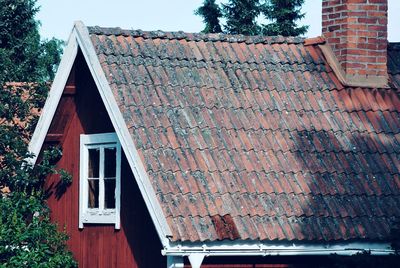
[[54, 97]]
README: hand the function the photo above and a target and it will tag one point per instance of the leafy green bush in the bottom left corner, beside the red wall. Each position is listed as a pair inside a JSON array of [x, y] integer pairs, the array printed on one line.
[[27, 237]]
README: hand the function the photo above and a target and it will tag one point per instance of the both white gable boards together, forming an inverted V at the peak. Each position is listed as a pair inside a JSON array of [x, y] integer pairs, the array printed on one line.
[[80, 37]]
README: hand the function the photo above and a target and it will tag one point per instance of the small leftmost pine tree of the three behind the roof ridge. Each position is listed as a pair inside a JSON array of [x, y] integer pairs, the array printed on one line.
[[211, 13]]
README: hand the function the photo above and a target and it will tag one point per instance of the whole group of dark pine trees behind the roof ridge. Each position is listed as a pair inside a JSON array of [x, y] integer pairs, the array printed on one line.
[[242, 17]]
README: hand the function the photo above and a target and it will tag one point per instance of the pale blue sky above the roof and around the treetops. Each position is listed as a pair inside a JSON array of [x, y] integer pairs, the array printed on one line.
[[57, 17]]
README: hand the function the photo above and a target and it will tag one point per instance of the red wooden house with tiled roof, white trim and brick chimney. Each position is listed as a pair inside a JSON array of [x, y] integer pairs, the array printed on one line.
[[220, 150]]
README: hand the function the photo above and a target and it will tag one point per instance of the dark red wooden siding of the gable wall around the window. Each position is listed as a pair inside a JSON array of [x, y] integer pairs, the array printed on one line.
[[136, 244]]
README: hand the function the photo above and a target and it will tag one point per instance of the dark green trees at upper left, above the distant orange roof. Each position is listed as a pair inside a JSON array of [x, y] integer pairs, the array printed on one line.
[[23, 57]]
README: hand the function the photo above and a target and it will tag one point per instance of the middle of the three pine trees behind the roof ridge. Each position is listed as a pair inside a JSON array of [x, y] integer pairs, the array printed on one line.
[[241, 16]]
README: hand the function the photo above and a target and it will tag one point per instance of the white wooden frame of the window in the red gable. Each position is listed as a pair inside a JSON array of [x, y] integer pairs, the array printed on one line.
[[98, 215]]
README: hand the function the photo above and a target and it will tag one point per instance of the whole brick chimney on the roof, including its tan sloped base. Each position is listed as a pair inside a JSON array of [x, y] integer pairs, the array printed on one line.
[[356, 31]]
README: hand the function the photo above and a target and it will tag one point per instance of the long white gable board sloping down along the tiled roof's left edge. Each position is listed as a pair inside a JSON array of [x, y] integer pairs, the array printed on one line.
[[123, 134]]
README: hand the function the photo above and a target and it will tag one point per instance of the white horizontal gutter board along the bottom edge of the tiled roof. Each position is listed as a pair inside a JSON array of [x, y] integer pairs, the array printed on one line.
[[274, 249]]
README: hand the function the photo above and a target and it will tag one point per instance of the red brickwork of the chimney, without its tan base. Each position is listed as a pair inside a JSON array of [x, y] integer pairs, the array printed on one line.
[[363, 24]]
